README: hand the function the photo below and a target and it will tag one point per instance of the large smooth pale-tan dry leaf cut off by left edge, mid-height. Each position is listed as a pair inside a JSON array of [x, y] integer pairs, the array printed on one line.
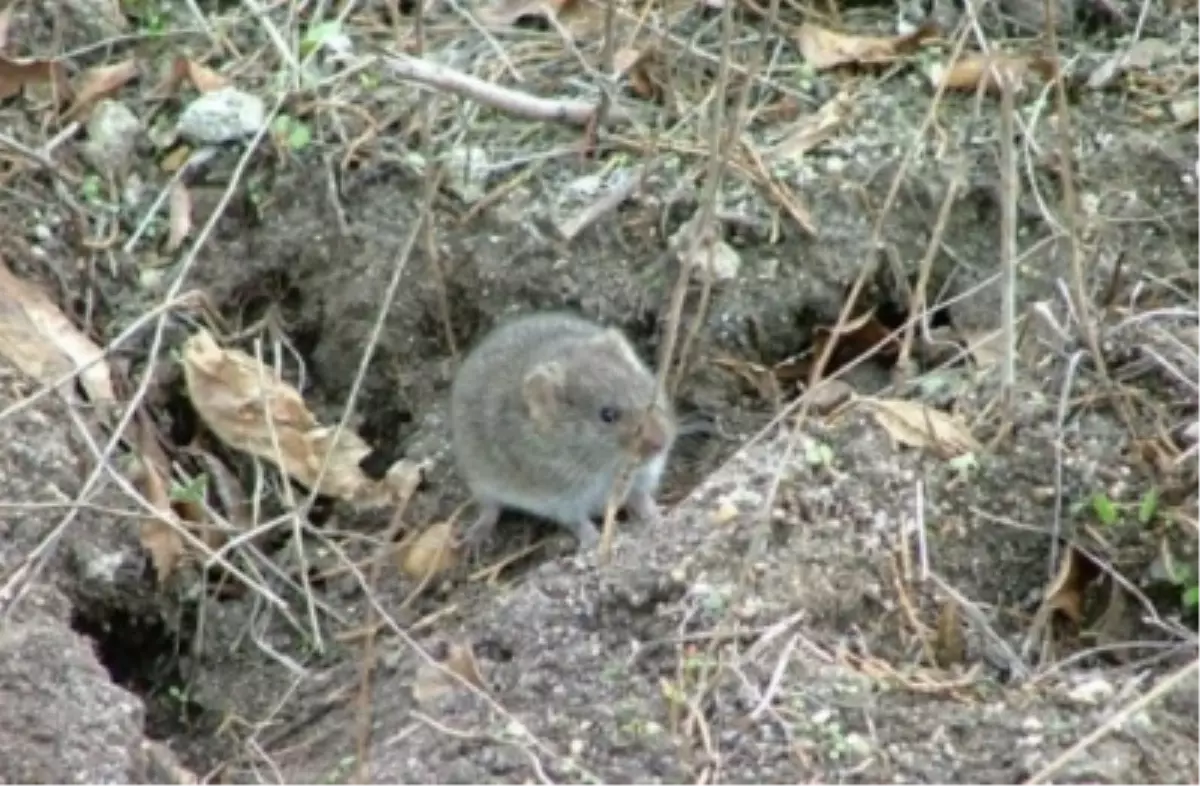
[[41, 341]]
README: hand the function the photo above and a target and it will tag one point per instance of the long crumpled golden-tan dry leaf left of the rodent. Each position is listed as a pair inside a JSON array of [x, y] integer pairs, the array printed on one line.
[[242, 404]]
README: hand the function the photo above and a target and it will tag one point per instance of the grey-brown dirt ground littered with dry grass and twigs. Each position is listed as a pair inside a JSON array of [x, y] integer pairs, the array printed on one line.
[[833, 597]]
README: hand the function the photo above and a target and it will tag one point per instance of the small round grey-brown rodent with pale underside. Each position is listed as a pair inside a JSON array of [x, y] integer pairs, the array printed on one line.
[[545, 413]]
